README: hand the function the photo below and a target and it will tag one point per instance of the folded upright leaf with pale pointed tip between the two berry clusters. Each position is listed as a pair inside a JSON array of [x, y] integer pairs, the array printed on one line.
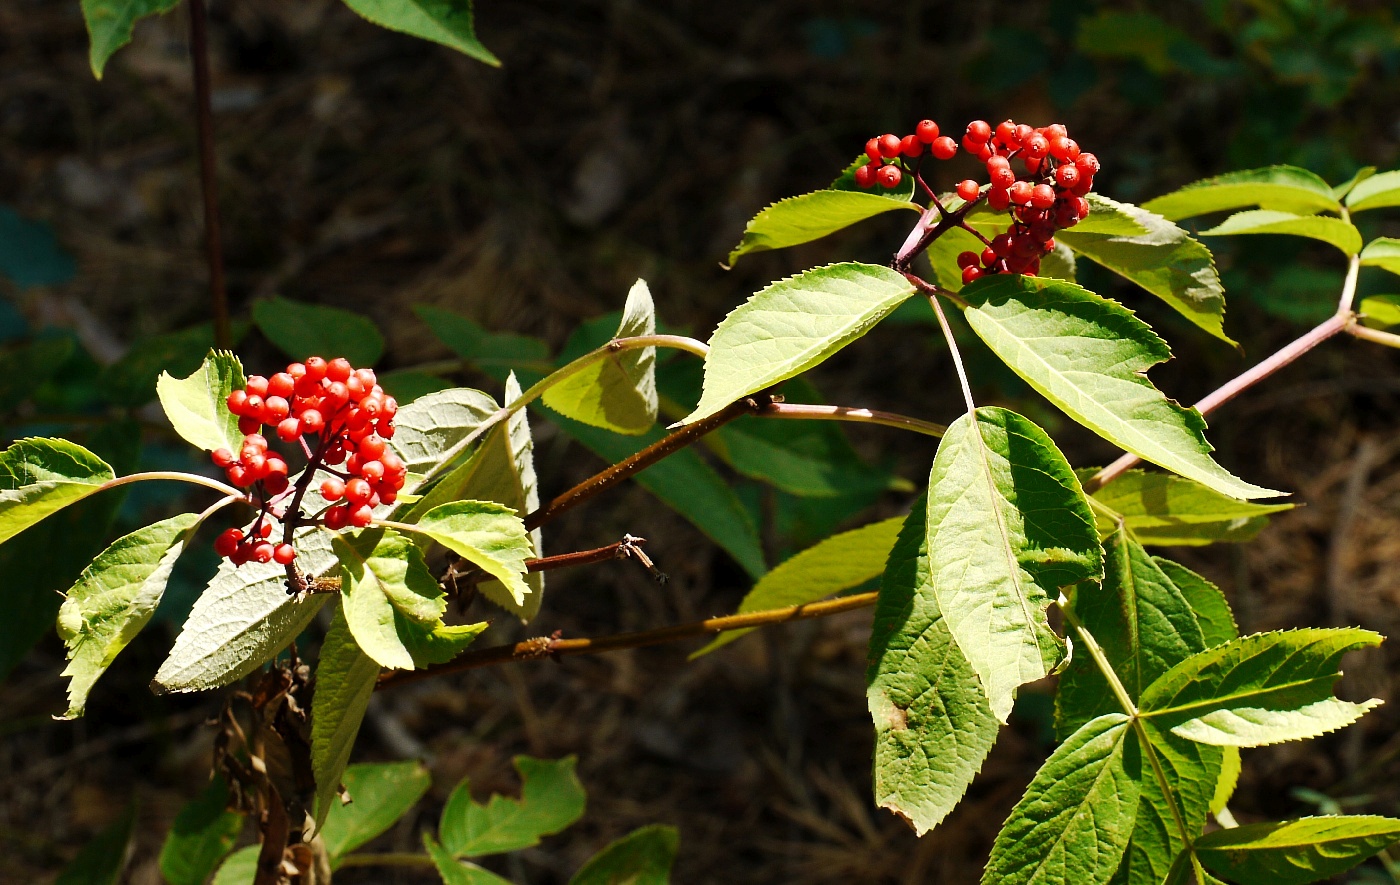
[[619, 391]]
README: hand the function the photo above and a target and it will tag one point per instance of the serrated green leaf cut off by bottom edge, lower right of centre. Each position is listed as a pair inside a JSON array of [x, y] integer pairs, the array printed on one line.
[[1074, 823]]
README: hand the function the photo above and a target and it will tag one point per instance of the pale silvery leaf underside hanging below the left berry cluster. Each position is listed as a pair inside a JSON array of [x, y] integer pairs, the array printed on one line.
[[243, 620]]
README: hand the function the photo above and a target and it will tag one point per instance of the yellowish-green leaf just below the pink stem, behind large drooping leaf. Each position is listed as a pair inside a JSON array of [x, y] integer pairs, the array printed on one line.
[[1161, 509]]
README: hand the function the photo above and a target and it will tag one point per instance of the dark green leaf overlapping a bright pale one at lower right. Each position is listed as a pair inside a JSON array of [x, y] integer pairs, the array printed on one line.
[[1277, 671]]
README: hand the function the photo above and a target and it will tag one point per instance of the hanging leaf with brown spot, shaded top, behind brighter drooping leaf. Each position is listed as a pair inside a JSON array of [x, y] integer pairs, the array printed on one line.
[[933, 723]]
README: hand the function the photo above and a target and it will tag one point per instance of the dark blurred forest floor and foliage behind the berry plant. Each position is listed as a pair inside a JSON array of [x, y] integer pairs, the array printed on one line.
[[491, 219]]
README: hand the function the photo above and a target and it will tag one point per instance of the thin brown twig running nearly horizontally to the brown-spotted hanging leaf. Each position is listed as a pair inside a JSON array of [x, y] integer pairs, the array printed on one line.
[[551, 648]]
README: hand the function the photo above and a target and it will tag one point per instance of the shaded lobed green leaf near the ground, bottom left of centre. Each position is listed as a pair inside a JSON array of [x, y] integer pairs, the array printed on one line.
[[551, 800]]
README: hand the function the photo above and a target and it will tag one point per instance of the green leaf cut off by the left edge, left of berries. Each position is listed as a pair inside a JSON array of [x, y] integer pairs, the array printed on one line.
[[41, 477]]
